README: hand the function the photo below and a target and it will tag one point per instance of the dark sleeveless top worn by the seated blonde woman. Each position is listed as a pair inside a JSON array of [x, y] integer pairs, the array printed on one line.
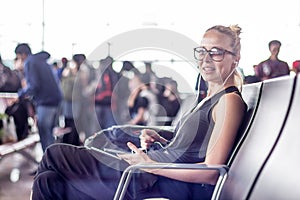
[[193, 133]]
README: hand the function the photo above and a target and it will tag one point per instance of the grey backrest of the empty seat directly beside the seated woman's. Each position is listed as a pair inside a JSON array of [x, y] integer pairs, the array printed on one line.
[[266, 126]]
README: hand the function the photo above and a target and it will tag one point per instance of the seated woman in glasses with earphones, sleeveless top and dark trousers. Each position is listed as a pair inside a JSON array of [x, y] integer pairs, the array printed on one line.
[[205, 135]]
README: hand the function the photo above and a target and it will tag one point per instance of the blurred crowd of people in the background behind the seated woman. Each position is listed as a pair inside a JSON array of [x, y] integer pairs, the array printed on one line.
[[67, 91]]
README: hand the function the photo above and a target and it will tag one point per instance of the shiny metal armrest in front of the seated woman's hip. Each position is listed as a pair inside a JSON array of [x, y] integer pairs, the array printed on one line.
[[127, 174]]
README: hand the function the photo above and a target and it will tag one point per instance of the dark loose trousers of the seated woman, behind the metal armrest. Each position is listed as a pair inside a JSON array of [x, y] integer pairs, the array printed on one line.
[[70, 172]]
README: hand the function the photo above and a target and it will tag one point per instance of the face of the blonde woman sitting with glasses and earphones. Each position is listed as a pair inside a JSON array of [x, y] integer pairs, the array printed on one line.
[[213, 71]]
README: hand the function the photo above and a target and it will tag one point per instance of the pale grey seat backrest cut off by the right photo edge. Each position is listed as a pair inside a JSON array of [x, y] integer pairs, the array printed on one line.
[[279, 179]]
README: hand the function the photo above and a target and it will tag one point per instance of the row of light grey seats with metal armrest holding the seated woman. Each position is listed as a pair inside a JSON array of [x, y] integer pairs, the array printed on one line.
[[265, 161]]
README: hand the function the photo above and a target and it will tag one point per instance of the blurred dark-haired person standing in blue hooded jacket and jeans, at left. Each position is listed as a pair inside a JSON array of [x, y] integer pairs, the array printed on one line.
[[44, 89]]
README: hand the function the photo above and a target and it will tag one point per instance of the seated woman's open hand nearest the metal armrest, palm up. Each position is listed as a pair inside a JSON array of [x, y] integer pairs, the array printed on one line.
[[137, 157]]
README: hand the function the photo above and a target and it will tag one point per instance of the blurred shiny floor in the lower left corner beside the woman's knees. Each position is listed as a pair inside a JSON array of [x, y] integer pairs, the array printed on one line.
[[15, 178]]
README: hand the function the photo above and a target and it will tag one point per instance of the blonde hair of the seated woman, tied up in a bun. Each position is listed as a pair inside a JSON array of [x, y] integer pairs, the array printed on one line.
[[233, 32]]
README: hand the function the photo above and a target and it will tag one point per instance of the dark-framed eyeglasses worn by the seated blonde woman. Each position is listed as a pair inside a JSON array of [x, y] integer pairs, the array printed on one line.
[[216, 54]]
